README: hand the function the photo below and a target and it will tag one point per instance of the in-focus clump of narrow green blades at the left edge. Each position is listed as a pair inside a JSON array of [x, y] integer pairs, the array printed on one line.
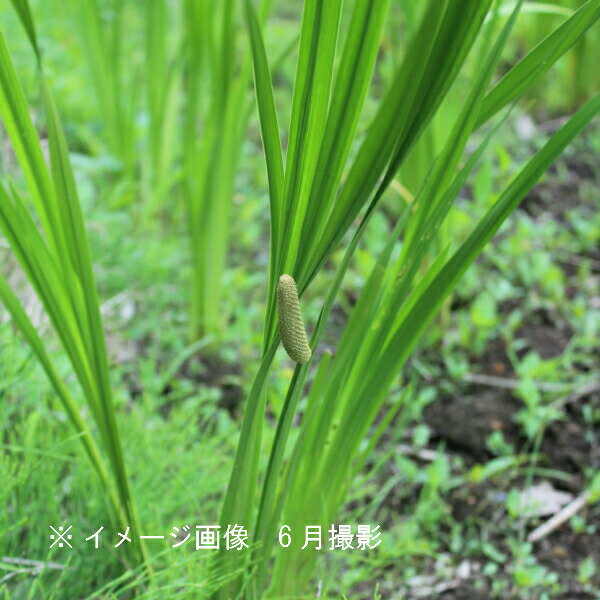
[[57, 263]]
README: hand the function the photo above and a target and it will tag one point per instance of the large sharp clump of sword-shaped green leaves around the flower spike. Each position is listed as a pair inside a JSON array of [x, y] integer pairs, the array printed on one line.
[[310, 216]]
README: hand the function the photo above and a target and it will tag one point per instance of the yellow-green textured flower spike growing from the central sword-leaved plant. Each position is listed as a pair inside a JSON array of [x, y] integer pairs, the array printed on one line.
[[291, 326]]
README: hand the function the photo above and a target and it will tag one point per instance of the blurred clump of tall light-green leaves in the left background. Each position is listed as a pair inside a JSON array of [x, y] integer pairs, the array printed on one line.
[[183, 135]]
